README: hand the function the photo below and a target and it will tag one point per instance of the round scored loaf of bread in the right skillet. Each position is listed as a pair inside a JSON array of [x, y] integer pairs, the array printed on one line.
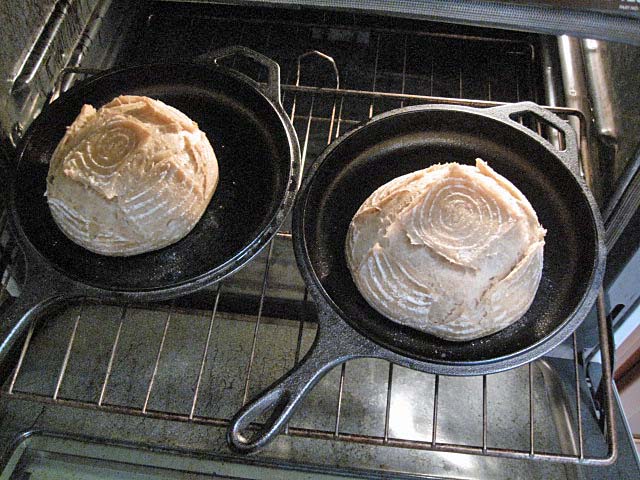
[[453, 250]]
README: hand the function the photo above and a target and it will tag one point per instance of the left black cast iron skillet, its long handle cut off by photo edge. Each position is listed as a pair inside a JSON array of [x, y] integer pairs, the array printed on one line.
[[260, 170]]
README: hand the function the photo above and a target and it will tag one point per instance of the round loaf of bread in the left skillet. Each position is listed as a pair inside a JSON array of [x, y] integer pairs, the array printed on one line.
[[132, 177]]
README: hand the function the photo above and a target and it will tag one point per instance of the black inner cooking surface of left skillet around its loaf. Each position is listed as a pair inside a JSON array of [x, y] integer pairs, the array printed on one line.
[[252, 151]]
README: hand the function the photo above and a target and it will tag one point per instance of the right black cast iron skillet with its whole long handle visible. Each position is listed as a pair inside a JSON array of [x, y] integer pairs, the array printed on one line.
[[400, 142]]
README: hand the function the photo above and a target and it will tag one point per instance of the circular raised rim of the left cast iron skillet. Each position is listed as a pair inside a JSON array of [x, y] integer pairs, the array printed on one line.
[[239, 259]]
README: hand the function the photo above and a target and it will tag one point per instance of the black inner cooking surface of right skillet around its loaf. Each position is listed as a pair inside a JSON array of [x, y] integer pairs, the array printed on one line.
[[404, 143]]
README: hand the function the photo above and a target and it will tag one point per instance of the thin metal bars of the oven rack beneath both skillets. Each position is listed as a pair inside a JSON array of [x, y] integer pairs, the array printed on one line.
[[332, 99]]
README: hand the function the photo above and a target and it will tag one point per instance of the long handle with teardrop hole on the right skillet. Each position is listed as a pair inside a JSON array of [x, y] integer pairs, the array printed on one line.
[[284, 396]]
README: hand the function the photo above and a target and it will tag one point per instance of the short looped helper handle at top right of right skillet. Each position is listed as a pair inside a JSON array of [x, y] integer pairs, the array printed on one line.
[[570, 155]]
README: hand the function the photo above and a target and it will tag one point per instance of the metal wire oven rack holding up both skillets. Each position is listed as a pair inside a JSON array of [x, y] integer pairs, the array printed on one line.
[[314, 110]]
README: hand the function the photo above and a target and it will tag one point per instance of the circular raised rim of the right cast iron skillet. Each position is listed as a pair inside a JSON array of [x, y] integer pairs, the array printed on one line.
[[433, 365]]
